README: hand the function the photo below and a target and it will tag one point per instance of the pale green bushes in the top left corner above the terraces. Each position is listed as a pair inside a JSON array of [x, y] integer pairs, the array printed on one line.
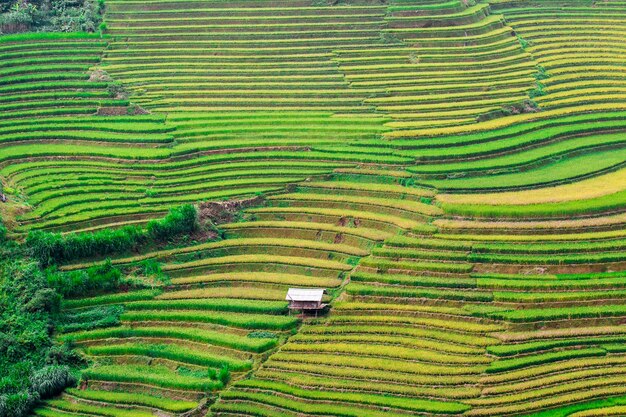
[[51, 16]]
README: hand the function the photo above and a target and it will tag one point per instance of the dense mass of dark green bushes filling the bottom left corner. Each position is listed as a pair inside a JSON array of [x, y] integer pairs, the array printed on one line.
[[31, 367]]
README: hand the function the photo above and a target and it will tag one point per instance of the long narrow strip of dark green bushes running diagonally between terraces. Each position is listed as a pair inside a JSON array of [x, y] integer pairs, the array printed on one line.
[[54, 248]]
